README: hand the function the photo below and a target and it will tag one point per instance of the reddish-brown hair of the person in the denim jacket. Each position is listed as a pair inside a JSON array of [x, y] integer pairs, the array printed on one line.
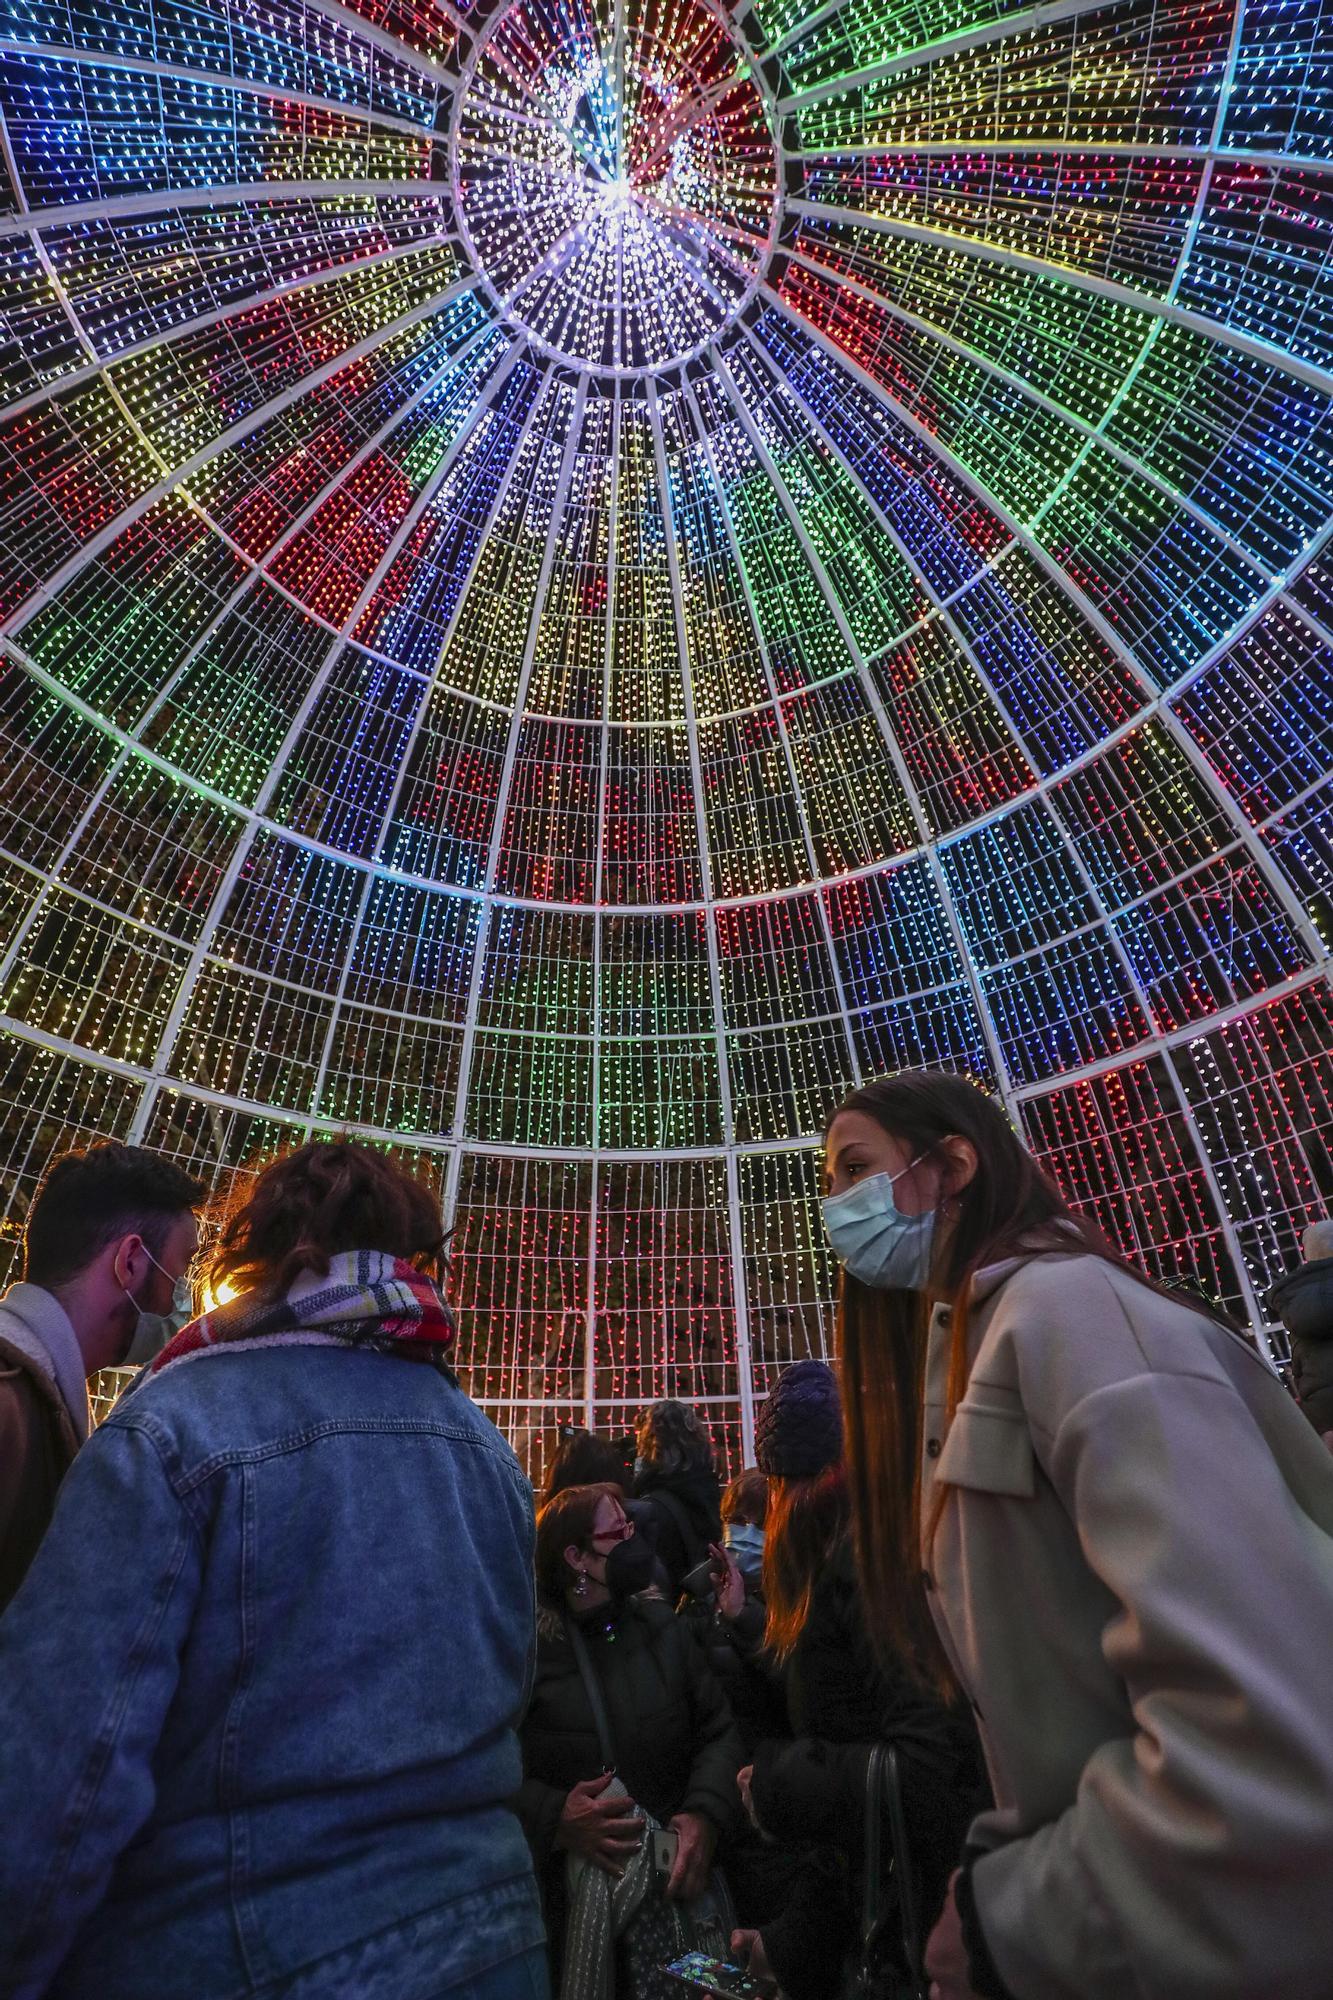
[[319, 1201]]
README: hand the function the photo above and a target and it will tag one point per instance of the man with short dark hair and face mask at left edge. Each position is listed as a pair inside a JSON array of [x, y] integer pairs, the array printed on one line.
[[109, 1241]]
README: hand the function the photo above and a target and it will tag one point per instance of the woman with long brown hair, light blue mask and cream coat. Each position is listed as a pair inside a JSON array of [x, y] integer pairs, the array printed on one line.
[[1096, 1509]]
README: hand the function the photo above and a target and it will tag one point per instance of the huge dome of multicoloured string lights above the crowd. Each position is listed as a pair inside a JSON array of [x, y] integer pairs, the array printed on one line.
[[579, 575]]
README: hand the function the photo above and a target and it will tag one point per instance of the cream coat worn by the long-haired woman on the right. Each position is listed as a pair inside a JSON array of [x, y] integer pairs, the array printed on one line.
[[1134, 1577]]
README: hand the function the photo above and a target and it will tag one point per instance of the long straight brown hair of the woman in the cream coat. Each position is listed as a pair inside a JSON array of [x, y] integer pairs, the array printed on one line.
[[1010, 1207]]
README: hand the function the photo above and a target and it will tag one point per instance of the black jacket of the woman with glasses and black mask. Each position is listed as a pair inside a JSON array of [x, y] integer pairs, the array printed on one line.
[[678, 1747]]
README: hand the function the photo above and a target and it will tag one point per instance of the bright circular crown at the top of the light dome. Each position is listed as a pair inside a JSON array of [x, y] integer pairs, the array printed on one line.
[[619, 185]]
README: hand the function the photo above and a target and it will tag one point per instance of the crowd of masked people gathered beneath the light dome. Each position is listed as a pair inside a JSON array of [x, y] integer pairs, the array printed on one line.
[[1000, 1677]]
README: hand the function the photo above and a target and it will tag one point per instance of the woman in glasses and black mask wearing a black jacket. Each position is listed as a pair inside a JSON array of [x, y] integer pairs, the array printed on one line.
[[674, 1749]]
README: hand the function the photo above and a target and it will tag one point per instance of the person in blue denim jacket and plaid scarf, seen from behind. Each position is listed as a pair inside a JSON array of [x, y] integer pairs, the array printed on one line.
[[259, 1691]]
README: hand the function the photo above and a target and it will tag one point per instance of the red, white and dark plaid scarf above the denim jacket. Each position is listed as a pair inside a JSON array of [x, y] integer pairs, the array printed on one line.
[[367, 1301]]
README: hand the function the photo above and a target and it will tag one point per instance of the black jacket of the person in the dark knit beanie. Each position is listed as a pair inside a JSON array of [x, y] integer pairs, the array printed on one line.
[[842, 1703]]
